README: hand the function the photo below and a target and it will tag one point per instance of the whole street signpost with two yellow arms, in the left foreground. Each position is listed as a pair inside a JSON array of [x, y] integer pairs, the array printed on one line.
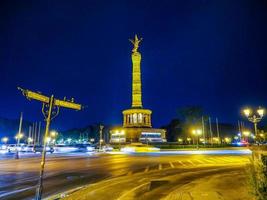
[[50, 110]]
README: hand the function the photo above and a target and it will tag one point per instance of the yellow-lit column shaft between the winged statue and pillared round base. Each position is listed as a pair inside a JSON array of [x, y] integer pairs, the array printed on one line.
[[136, 81]]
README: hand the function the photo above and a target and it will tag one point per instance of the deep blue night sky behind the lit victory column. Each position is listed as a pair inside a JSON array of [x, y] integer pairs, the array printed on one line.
[[201, 52]]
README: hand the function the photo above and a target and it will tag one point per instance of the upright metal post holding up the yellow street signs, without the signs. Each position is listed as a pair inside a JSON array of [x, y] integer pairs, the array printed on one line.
[[48, 119]]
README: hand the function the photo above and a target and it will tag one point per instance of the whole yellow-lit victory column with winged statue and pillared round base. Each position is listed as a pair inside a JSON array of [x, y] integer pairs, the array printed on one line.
[[136, 120]]
